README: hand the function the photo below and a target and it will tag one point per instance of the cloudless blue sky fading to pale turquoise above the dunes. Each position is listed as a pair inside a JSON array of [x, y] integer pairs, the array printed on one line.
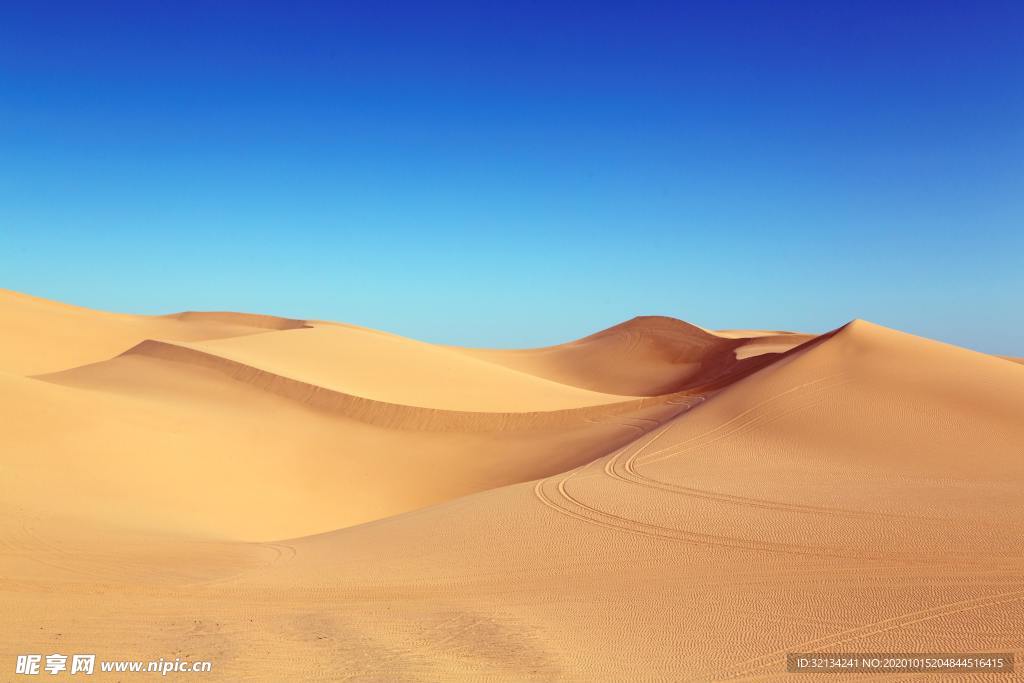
[[522, 174]]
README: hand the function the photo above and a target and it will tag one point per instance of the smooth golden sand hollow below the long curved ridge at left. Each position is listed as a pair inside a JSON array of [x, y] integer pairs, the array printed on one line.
[[196, 451]]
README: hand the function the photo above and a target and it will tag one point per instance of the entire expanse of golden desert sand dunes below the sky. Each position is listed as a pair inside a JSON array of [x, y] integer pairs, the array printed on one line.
[[303, 500]]
